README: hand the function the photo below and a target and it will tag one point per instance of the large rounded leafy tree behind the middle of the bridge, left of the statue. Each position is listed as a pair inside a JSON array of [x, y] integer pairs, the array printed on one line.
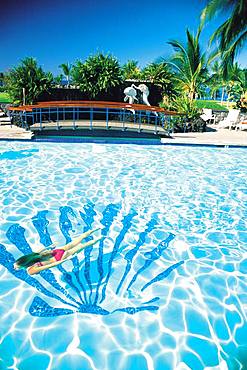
[[98, 74]]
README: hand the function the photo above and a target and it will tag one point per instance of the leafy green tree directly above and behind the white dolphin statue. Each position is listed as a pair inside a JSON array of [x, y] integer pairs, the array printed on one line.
[[159, 74]]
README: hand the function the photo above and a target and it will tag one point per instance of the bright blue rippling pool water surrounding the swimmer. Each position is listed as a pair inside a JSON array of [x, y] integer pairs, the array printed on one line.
[[165, 289]]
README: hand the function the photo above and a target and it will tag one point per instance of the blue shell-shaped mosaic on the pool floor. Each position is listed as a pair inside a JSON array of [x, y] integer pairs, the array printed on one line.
[[84, 287]]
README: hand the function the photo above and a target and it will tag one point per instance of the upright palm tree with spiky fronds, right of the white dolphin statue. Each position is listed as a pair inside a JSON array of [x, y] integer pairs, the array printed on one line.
[[189, 64]]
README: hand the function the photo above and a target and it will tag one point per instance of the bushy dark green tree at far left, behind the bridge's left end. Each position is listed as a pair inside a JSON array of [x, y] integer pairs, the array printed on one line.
[[27, 81]]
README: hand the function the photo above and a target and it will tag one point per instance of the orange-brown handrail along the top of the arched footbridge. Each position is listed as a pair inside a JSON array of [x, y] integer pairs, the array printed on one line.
[[92, 104]]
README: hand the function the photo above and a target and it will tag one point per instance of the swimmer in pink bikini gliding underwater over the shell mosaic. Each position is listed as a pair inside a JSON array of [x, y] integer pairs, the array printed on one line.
[[45, 259]]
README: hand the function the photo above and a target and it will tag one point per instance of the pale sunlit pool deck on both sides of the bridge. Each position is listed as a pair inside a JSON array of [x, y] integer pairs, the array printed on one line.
[[214, 137]]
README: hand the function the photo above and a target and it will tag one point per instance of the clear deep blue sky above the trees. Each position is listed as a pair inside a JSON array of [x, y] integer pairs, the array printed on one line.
[[58, 31]]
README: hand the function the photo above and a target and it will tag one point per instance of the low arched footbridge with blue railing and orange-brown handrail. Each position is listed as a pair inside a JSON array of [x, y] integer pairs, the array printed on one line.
[[94, 118]]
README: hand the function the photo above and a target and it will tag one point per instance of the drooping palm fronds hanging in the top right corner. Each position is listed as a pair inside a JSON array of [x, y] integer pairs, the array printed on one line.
[[232, 33]]
